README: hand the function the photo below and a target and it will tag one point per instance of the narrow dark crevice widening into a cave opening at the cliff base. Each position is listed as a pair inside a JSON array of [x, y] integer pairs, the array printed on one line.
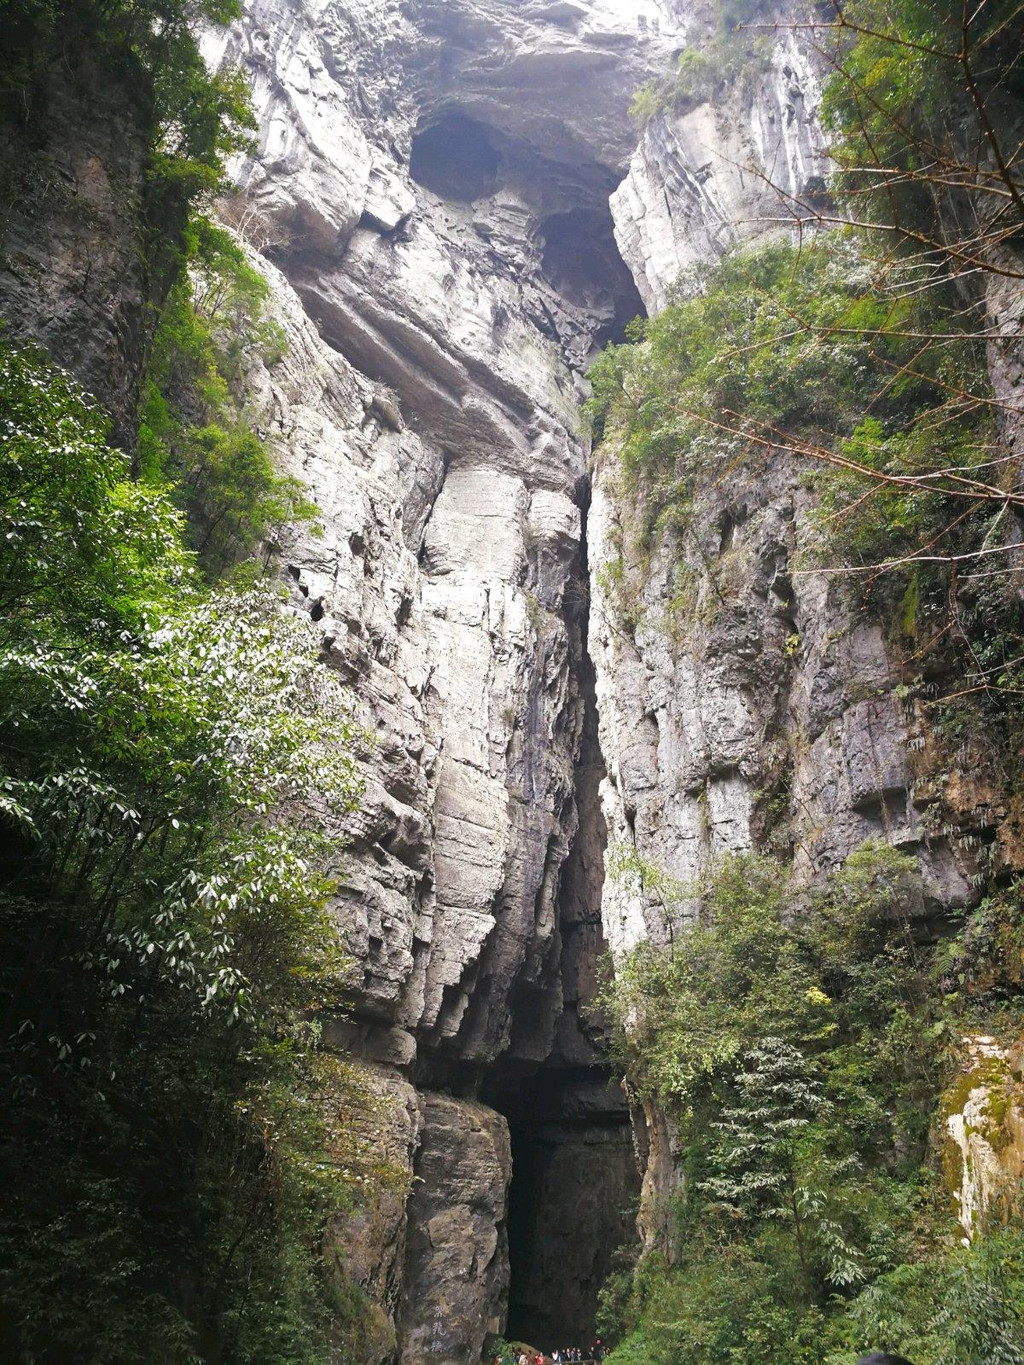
[[575, 1179]]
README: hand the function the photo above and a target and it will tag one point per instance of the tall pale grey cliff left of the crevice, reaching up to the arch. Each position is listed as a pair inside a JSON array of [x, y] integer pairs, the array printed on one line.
[[443, 261]]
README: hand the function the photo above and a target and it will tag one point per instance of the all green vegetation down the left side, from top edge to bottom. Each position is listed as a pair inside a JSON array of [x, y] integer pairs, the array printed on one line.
[[175, 1142]]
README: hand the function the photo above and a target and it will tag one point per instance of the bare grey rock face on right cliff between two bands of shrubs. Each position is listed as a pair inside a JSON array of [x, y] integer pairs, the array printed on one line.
[[763, 701]]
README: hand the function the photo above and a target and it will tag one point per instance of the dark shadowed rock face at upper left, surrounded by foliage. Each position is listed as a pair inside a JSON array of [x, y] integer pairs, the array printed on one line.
[[73, 272]]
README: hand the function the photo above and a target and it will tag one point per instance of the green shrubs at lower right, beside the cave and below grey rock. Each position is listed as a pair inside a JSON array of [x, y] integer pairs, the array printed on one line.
[[799, 1048]]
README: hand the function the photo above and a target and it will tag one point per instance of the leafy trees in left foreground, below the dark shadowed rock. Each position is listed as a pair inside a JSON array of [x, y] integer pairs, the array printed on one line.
[[175, 1142]]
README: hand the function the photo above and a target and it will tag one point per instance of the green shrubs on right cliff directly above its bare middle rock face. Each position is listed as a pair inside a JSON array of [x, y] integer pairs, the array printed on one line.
[[808, 364]]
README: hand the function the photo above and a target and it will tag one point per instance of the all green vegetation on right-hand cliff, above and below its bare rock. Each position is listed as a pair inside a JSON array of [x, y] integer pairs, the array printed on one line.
[[802, 1038]]
